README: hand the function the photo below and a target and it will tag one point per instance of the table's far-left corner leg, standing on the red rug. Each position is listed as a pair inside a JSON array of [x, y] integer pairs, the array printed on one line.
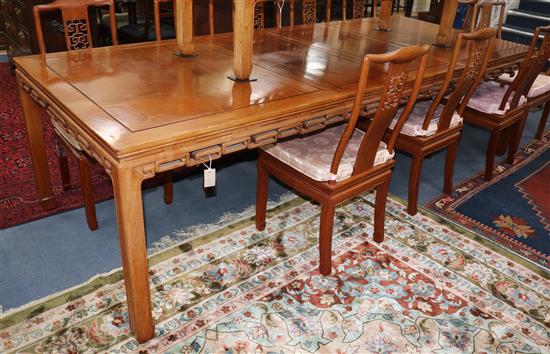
[[35, 137]]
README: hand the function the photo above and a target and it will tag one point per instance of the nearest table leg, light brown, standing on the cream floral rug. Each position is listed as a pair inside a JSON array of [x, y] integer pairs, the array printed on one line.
[[131, 233]]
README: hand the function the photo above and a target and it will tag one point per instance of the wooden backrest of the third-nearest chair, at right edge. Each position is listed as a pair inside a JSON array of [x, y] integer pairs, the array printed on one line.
[[534, 63]]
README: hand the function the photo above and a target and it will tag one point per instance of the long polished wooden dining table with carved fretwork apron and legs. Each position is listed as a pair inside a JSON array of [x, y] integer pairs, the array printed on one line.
[[140, 110]]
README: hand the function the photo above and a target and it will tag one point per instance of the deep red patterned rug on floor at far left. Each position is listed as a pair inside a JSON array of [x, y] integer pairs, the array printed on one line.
[[18, 198]]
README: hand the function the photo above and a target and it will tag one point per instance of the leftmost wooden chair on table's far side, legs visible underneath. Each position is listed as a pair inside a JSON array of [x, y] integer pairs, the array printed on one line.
[[78, 36]]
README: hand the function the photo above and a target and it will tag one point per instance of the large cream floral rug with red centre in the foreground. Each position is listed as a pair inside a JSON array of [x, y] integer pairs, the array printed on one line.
[[233, 289]]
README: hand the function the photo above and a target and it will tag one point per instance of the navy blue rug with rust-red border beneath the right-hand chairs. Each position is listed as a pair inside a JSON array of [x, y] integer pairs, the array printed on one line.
[[513, 210]]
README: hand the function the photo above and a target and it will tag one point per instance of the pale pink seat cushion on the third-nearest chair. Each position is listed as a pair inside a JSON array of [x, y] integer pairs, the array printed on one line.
[[487, 98]]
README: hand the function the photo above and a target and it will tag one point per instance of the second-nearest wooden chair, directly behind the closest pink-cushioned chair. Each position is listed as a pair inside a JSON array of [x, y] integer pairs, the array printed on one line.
[[432, 126]]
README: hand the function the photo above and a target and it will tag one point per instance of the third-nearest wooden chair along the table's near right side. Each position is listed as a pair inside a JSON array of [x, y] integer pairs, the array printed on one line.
[[498, 107]]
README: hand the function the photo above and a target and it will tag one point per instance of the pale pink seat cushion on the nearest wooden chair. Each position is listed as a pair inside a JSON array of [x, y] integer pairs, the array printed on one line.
[[312, 155]]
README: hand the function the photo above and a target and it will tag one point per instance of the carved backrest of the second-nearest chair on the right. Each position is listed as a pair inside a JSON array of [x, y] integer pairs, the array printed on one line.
[[480, 46]]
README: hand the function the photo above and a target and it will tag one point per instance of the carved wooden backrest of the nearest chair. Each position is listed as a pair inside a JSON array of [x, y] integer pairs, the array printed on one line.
[[398, 64]]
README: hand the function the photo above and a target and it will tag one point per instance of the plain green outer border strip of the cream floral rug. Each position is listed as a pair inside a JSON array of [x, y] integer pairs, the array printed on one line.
[[116, 275]]
